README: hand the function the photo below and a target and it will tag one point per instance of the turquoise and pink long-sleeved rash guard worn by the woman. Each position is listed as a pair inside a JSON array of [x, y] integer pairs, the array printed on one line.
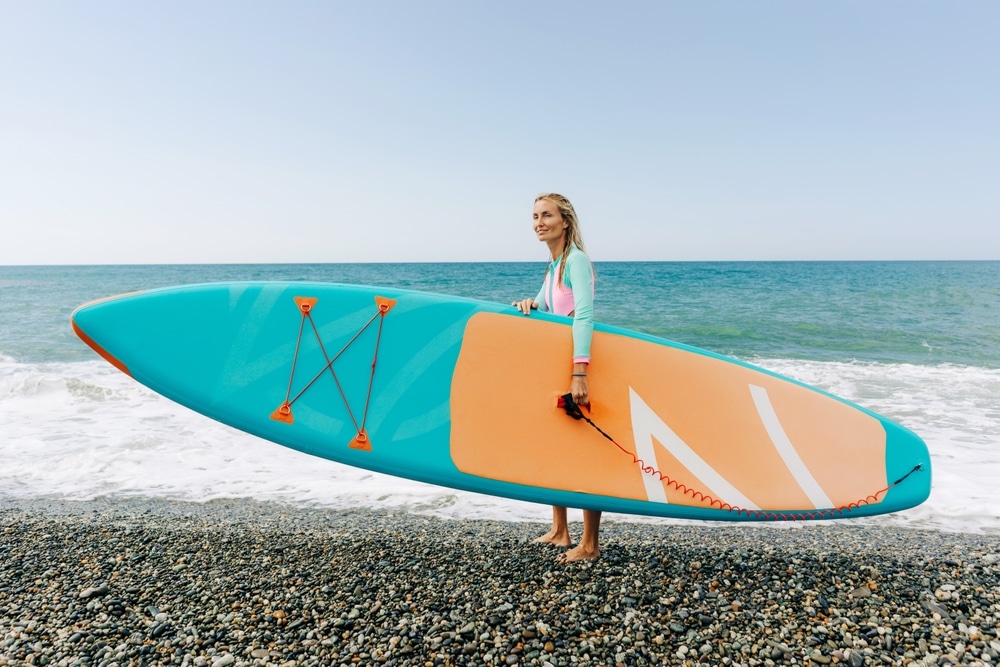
[[573, 294]]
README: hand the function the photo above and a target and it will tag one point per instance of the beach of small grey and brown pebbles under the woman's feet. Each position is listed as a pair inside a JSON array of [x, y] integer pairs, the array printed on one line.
[[153, 582]]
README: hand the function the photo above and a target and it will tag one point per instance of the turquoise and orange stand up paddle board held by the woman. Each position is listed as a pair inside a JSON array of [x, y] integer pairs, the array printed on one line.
[[465, 394]]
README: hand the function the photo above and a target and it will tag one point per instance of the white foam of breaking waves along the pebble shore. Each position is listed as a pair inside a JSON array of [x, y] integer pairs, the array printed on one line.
[[82, 430]]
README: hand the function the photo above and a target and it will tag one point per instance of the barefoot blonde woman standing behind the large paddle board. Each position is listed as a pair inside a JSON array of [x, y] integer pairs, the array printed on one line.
[[568, 289]]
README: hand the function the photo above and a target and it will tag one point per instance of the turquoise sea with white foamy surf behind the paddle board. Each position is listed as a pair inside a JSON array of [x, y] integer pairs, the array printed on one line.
[[918, 342]]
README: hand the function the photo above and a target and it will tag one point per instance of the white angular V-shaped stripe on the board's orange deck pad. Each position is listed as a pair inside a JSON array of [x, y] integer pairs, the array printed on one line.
[[646, 425]]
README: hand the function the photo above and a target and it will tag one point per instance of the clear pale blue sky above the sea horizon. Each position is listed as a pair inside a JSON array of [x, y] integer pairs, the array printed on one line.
[[324, 131]]
